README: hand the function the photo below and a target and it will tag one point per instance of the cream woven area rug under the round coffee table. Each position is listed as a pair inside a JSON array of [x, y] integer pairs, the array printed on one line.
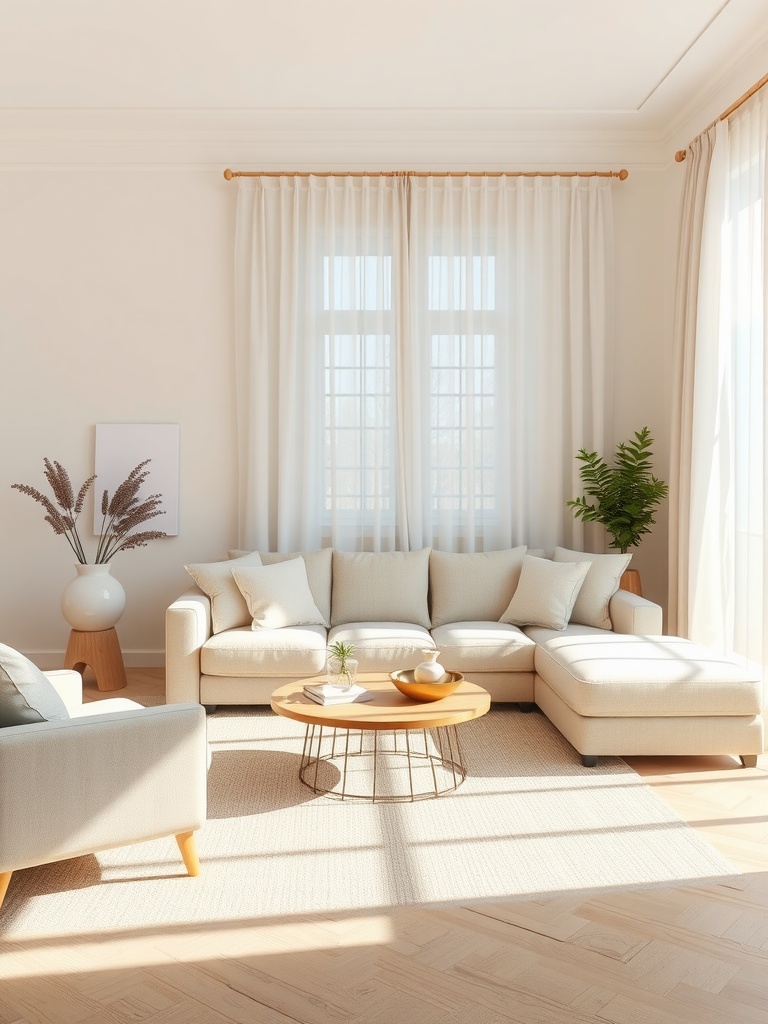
[[530, 823]]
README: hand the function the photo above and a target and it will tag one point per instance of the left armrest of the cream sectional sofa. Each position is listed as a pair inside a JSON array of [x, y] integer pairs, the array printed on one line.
[[188, 626]]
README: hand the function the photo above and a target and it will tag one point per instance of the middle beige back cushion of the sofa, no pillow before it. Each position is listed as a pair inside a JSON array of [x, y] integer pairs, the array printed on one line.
[[380, 587]]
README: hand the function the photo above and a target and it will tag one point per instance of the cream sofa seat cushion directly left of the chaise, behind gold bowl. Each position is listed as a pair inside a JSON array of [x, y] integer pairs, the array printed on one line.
[[481, 647]]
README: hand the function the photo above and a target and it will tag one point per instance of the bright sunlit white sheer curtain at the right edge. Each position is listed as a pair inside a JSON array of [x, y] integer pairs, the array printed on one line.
[[728, 569]]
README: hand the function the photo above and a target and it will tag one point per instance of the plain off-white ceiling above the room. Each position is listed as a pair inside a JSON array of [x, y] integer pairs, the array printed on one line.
[[608, 65]]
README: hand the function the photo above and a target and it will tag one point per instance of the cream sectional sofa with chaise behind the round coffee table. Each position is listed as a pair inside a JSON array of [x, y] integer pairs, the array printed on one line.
[[478, 611]]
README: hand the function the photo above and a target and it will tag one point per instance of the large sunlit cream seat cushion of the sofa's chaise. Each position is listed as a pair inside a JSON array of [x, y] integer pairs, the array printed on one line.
[[645, 676]]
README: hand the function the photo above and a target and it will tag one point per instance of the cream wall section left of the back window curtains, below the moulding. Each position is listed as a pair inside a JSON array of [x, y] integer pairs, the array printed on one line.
[[116, 308]]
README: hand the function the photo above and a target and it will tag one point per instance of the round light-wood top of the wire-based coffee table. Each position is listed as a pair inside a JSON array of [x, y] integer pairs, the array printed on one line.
[[389, 710]]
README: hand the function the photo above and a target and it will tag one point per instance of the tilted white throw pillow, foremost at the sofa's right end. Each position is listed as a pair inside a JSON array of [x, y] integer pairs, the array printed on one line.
[[546, 593]]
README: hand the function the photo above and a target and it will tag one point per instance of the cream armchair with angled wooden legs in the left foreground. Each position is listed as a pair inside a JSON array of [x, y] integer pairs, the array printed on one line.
[[114, 775]]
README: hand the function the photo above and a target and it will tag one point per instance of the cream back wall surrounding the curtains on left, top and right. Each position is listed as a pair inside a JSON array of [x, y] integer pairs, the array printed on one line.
[[116, 272]]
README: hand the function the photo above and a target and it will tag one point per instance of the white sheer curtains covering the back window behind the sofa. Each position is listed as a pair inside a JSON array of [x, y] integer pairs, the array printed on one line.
[[419, 359]]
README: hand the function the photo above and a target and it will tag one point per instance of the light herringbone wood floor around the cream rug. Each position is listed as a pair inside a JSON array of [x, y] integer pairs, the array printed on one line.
[[696, 955]]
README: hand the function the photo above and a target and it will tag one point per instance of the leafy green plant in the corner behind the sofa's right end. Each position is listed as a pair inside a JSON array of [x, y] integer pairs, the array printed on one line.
[[625, 496]]
